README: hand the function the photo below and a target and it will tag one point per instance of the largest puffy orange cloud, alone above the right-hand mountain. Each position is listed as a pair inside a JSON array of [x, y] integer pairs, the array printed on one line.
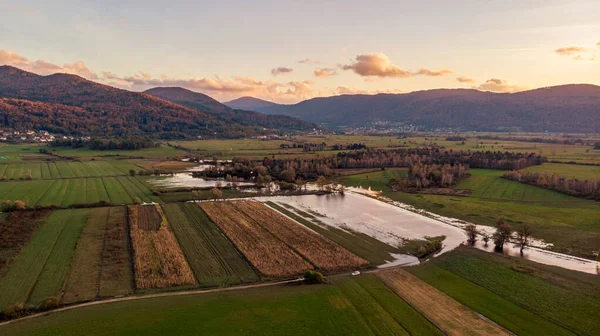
[[376, 64]]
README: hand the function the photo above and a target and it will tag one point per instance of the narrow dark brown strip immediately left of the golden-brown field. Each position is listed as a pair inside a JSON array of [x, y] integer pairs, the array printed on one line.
[[115, 274]]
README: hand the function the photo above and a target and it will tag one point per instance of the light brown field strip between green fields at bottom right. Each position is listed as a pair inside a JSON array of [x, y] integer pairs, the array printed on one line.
[[447, 314]]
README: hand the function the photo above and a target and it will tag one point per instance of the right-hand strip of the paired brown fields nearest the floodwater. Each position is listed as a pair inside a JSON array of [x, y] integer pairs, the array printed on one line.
[[321, 252]]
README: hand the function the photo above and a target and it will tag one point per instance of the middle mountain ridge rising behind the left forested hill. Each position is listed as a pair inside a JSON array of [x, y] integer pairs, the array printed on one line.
[[205, 103]]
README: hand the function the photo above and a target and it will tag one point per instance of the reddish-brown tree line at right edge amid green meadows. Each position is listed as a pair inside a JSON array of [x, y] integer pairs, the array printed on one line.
[[574, 187]]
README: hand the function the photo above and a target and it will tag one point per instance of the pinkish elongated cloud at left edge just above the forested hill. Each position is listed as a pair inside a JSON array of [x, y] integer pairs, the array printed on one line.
[[45, 68]]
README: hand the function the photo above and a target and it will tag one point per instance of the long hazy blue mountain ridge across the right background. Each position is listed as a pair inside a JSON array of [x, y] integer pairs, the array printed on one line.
[[567, 108]]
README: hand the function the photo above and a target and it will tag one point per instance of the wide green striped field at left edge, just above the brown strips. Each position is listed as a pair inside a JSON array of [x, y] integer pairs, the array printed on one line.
[[66, 192]]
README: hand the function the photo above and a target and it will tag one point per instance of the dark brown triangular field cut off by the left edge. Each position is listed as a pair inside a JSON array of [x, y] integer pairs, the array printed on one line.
[[15, 232]]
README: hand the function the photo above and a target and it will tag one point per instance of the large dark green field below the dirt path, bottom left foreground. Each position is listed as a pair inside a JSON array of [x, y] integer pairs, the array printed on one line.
[[361, 306]]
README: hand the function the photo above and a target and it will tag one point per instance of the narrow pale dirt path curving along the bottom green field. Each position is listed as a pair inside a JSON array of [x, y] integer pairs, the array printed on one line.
[[149, 296]]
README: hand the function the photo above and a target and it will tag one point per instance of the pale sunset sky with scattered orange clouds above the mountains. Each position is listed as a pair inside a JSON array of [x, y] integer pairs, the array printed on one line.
[[288, 51]]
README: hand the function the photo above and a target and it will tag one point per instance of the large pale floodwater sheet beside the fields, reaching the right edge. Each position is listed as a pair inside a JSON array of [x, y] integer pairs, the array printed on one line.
[[390, 222]]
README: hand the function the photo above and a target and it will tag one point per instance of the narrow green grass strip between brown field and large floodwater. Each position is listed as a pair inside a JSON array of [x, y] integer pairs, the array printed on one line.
[[370, 249]]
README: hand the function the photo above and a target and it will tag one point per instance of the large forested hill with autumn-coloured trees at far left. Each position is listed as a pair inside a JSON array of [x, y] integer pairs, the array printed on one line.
[[69, 104]]
